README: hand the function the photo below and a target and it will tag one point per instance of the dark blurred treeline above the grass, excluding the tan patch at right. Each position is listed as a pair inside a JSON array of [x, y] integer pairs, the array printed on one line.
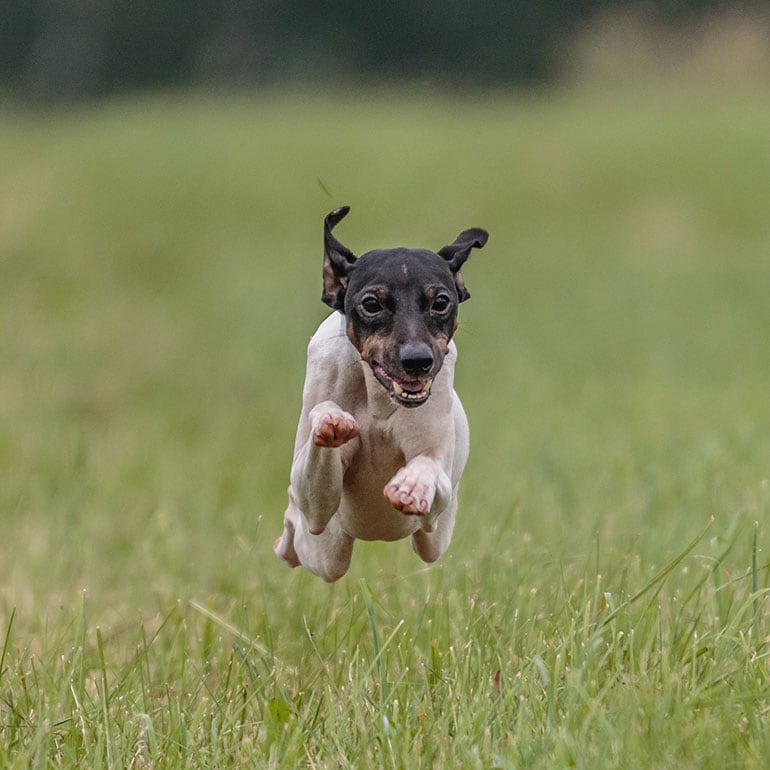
[[71, 49]]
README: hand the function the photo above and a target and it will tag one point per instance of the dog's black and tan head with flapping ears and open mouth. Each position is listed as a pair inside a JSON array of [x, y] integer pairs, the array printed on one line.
[[400, 306]]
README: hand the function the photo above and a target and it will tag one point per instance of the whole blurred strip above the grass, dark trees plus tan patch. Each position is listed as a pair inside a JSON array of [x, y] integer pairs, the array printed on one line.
[[78, 49]]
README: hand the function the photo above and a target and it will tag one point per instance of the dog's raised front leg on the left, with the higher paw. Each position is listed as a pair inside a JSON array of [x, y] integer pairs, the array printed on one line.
[[317, 471]]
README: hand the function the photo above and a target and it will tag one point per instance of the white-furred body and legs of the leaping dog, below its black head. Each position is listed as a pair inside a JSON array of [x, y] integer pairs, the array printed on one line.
[[386, 471]]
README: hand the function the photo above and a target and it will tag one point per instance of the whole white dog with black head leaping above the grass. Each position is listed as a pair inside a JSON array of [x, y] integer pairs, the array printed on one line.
[[382, 438]]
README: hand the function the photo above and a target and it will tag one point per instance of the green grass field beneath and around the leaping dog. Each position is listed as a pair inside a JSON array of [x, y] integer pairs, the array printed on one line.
[[604, 602]]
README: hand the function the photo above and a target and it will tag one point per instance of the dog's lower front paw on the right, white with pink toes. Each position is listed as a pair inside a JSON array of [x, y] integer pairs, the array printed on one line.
[[423, 488]]
